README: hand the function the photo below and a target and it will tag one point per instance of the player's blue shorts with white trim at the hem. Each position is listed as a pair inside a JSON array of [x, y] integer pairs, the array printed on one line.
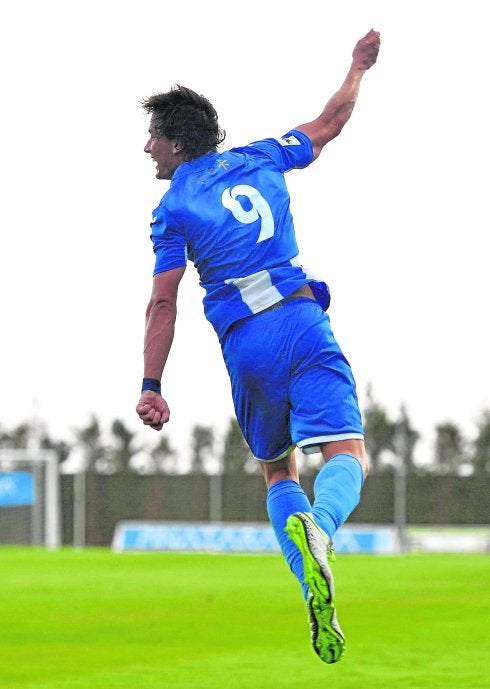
[[290, 382]]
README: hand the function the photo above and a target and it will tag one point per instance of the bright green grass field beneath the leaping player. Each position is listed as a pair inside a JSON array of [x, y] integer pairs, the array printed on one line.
[[97, 620]]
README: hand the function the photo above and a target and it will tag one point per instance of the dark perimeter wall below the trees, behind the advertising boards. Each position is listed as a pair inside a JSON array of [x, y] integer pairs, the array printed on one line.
[[437, 500]]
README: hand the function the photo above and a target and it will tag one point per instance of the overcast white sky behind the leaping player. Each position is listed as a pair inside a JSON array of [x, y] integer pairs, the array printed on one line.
[[394, 215]]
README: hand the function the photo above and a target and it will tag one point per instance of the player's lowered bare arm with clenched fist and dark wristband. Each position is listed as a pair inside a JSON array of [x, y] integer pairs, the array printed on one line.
[[159, 334]]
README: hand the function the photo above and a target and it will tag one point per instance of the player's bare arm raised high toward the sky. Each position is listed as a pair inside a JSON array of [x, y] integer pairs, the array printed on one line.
[[339, 108]]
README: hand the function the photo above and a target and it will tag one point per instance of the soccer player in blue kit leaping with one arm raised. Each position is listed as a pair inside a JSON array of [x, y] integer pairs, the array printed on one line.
[[229, 214]]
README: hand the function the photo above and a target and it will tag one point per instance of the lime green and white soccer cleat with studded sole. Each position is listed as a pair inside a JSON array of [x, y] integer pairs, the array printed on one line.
[[316, 548]]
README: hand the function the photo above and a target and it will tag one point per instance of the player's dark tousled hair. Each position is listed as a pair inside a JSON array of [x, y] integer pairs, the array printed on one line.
[[187, 117]]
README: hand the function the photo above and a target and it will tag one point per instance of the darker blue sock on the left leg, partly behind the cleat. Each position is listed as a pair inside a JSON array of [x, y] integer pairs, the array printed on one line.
[[283, 499]]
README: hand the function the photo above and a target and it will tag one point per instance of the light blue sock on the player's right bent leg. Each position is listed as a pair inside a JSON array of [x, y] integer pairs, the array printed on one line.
[[337, 491]]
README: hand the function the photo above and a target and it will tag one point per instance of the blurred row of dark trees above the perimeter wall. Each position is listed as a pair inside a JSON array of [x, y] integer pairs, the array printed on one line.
[[388, 441]]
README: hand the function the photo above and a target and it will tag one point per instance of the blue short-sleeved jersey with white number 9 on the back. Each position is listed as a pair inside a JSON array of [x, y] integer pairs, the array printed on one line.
[[229, 214]]
